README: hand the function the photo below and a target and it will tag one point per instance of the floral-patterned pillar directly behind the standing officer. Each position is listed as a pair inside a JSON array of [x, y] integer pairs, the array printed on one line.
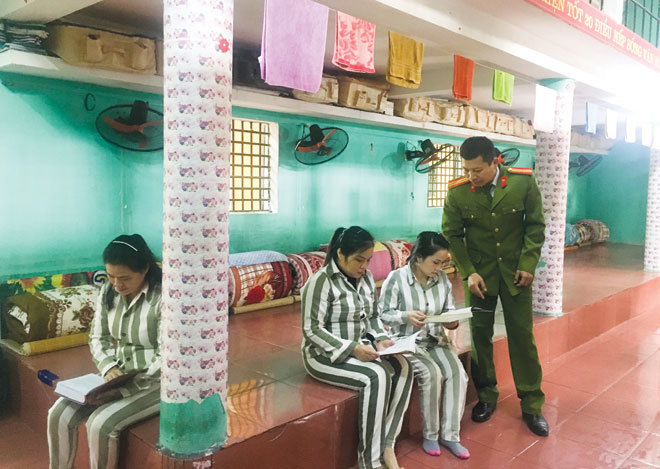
[[551, 170]]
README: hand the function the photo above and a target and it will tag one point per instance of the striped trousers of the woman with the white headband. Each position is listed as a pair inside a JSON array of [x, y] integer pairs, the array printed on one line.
[[104, 424]]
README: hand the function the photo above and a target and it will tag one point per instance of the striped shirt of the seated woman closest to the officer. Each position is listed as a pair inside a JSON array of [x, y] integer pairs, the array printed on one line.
[[402, 292]]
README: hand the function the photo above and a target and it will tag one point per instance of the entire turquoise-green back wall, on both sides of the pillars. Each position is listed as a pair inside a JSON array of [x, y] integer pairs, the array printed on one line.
[[65, 192]]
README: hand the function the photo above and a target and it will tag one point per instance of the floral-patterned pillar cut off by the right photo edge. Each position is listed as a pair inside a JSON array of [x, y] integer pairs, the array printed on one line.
[[652, 242]]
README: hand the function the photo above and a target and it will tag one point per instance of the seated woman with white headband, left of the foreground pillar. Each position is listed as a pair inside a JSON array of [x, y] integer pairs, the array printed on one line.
[[124, 337]]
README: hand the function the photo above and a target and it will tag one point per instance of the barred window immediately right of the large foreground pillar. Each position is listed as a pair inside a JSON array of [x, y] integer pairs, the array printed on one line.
[[254, 152]]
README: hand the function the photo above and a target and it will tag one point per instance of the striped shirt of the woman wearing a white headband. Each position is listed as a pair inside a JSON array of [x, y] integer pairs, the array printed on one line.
[[127, 335]]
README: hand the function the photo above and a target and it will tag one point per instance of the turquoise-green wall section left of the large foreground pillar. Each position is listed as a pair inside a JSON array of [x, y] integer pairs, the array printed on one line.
[[64, 191]]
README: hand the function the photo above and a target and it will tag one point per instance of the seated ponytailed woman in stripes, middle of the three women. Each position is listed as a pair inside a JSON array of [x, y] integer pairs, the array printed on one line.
[[342, 332]]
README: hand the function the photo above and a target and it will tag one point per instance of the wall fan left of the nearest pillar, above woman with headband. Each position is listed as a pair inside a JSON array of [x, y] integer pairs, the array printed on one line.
[[135, 127]]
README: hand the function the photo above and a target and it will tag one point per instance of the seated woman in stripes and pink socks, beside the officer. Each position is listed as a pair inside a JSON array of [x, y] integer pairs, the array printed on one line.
[[408, 295]]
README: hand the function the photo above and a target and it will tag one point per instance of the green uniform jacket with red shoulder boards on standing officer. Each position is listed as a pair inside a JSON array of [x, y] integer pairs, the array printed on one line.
[[495, 237]]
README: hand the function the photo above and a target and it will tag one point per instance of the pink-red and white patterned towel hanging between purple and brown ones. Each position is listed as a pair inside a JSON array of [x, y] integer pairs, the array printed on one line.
[[354, 44]]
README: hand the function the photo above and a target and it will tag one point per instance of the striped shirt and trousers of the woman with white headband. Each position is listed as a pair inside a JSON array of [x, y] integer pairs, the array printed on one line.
[[134, 328]]
